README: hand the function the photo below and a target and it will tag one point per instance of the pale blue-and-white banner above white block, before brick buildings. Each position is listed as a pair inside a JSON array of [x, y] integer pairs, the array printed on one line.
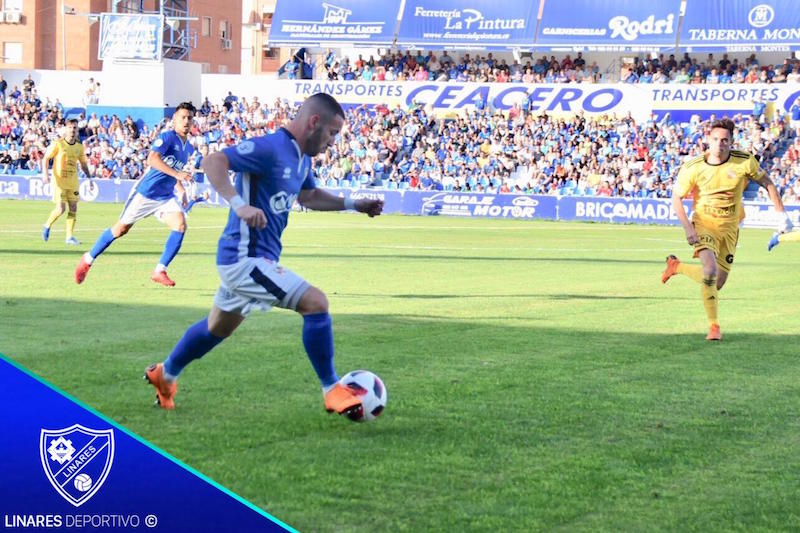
[[130, 36]]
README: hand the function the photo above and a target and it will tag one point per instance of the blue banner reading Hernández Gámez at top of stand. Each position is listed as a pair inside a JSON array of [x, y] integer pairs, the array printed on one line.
[[319, 23]]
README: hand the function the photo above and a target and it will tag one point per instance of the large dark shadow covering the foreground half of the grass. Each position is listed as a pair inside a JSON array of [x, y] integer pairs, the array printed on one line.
[[520, 427]]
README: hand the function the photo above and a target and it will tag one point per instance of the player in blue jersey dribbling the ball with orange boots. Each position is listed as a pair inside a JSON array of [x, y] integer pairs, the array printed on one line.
[[273, 172]]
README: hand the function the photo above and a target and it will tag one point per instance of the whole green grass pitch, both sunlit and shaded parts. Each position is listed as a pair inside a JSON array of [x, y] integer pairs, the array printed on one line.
[[540, 376]]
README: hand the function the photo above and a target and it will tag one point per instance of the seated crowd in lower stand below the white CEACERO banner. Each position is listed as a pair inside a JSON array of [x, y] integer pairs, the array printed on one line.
[[517, 151]]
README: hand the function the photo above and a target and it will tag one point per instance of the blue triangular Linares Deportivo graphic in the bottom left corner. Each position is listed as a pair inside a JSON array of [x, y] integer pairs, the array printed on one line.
[[115, 476]]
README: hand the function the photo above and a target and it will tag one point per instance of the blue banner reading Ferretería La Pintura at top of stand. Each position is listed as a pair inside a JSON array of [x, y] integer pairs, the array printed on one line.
[[485, 24]]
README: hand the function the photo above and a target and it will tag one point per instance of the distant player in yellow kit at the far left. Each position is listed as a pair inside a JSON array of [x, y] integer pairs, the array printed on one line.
[[66, 153]]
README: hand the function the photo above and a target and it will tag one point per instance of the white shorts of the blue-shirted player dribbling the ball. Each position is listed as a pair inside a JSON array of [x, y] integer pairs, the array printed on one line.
[[258, 283]]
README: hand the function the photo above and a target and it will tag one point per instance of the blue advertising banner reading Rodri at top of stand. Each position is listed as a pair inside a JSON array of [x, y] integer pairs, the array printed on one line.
[[608, 25]]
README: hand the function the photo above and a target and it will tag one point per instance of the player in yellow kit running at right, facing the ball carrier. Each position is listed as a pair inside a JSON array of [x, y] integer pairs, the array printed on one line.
[[715, 181]]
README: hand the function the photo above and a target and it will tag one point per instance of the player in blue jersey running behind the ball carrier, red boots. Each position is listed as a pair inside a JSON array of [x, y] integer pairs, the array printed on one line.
[[155, 194]]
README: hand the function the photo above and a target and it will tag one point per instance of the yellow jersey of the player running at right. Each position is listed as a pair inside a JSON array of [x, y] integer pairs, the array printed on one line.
[[717, 189]]
